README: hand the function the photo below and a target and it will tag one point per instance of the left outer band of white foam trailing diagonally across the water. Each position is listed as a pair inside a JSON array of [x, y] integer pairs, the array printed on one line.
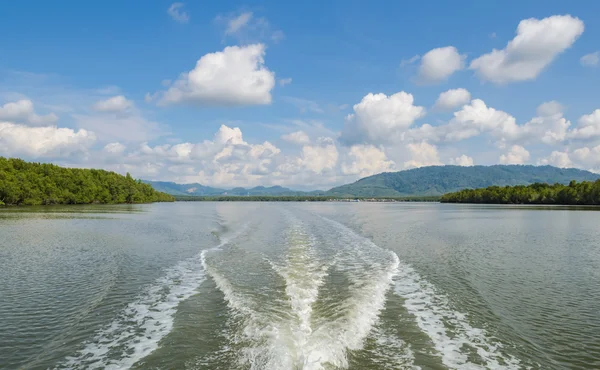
[[138, 329]]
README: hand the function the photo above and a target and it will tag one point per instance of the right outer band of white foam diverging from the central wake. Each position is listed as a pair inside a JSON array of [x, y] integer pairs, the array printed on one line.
[[432, 311]]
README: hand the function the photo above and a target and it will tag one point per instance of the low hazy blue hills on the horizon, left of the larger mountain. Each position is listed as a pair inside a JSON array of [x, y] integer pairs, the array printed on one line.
[[201, 190]]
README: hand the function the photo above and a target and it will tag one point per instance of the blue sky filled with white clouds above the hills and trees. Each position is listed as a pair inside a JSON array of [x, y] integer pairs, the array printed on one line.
[[307, 95]]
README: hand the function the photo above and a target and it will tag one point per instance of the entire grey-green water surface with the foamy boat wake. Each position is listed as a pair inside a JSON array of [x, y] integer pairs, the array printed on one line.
[[299, 286]]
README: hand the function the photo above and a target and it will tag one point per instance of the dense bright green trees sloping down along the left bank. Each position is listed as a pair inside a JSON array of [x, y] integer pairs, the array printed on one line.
[[25, 183]]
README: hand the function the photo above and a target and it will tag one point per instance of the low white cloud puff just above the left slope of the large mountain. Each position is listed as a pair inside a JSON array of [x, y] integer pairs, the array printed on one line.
[[367, 160]]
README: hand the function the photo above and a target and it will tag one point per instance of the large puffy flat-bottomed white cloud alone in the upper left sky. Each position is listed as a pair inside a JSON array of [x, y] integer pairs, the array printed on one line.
[[234, 76]]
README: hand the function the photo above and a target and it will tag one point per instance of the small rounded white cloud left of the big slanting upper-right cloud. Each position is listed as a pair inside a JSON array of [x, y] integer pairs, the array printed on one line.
[[439, 64]]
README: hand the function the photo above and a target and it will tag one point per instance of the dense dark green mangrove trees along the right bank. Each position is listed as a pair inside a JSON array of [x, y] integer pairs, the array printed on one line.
[[583, 193]]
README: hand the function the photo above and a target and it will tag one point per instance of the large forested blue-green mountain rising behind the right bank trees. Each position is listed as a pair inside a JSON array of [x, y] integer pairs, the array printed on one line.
[[438, 180]]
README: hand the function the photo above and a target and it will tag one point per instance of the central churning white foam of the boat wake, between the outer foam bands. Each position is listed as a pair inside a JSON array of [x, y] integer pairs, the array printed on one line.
[[296, 339]]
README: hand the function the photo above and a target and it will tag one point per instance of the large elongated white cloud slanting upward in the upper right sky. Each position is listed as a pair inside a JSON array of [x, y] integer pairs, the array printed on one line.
[[536, 45]]
